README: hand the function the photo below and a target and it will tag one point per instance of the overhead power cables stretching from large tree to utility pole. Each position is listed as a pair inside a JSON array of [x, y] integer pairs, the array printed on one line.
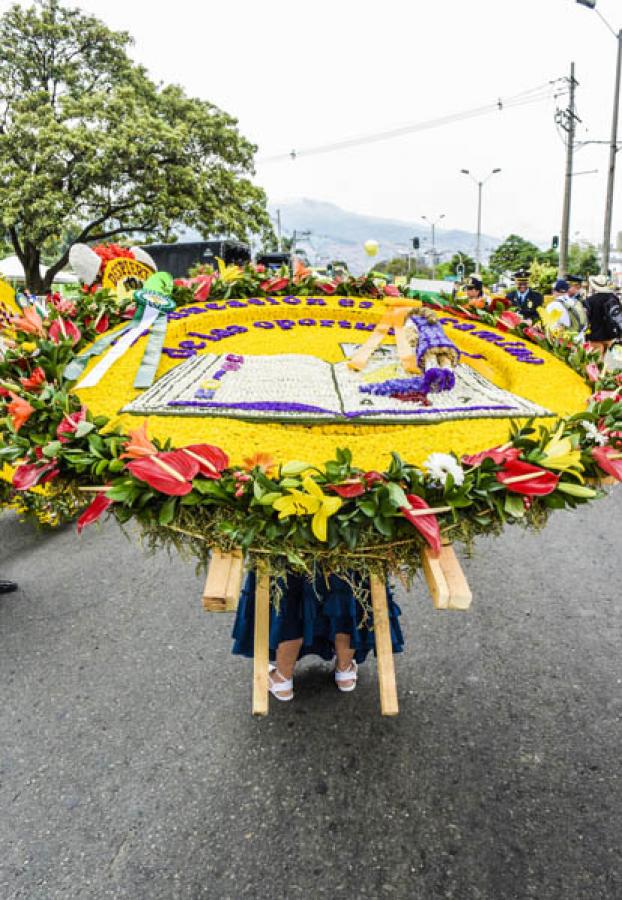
[[532, 95]]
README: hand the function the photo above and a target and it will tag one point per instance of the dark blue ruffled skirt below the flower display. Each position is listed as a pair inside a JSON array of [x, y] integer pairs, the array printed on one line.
[[315, 613]]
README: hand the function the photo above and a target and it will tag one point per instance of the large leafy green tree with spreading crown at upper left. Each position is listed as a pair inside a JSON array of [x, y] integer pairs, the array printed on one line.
[[91, 147]]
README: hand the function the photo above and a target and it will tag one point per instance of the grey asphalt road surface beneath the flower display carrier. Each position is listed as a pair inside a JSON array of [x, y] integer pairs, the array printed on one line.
[[130, 766]]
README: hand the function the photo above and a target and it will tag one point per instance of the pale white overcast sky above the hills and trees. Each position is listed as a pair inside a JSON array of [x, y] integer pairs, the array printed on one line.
[[299, 74]]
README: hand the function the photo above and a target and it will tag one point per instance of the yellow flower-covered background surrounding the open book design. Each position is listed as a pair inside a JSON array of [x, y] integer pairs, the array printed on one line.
[[553, 385]]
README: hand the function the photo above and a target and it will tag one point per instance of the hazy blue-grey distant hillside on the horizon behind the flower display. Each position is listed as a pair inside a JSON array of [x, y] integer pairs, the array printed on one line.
[[339, 234]]
